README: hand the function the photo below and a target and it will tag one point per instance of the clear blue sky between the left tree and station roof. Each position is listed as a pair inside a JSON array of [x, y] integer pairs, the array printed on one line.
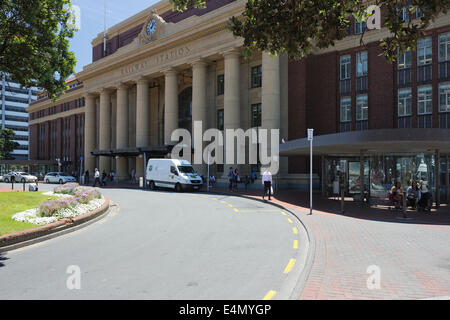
[[92, 23]]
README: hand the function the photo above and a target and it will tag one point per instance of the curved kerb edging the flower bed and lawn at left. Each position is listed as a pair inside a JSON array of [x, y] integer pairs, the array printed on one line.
[[29, 237]]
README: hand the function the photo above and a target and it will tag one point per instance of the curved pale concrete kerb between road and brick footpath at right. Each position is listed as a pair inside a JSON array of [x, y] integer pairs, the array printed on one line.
[[295, 284]]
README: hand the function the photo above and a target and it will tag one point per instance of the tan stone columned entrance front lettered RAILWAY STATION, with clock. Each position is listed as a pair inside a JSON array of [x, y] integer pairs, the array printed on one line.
[[134, 98]]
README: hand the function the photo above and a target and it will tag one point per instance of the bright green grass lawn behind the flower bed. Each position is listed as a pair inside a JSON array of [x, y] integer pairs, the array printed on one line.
[[15, 202]]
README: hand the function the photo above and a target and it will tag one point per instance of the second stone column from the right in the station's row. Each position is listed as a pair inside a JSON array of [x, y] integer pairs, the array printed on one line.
[[232, 102]]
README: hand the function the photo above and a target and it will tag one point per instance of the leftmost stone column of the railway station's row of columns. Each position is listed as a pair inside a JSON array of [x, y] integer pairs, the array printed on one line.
[[89, 133]]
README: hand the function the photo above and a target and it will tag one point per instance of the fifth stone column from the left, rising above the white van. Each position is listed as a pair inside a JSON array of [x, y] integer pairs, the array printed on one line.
[[171, 108]]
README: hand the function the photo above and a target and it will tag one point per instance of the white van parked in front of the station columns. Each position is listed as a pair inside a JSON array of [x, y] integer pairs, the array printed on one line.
[[173, 174]]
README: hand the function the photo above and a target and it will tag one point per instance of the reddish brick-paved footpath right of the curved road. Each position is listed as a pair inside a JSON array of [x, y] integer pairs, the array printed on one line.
[[413, 255]]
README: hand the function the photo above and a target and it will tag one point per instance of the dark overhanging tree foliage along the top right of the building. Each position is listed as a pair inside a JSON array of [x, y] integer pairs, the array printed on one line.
[[296, 27]]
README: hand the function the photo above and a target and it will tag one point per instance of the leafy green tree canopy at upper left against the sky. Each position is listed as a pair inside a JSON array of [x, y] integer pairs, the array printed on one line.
[[34, 43]]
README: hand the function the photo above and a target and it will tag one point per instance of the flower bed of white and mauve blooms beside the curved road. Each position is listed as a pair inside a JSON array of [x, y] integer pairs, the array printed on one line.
[[79, 201]]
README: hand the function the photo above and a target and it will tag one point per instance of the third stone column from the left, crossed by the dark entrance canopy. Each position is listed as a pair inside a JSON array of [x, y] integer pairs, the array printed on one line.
[[122, 130]]
